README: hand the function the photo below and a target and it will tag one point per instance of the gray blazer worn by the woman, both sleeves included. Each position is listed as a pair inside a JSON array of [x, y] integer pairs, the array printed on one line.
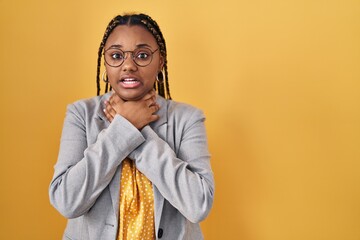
[[171, 152]]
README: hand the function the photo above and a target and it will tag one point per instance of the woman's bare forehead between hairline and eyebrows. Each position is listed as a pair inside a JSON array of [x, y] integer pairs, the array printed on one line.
[[130, 37]]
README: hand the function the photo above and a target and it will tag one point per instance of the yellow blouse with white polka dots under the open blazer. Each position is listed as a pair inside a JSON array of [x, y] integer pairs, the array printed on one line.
[[136, 204]]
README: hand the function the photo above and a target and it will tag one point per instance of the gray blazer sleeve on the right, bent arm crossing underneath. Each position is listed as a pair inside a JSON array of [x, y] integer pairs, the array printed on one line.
[[184, 178]]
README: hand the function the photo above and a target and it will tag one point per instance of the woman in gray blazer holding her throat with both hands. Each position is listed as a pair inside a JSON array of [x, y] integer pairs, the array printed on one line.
[[133, 164]]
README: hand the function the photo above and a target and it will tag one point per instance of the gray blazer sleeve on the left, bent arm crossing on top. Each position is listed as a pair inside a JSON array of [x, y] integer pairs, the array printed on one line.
[[82, 172]]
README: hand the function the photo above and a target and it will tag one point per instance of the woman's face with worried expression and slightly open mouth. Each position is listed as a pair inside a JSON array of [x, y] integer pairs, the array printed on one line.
[[130, 81]]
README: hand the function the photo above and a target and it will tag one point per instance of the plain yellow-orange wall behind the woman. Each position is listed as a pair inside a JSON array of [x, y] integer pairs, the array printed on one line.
[[278, 80]]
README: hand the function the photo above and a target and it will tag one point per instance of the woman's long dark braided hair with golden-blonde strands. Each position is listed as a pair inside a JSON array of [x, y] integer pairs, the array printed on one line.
[[162, 85]]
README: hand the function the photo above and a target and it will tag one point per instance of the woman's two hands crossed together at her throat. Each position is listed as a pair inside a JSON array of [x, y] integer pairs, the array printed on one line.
[[139, 113]]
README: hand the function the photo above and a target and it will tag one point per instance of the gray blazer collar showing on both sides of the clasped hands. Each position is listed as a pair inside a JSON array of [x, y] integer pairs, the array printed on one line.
[[162, 111]]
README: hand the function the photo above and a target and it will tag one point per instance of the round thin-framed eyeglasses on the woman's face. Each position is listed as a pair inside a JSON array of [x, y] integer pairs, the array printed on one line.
[[142, 57]]
